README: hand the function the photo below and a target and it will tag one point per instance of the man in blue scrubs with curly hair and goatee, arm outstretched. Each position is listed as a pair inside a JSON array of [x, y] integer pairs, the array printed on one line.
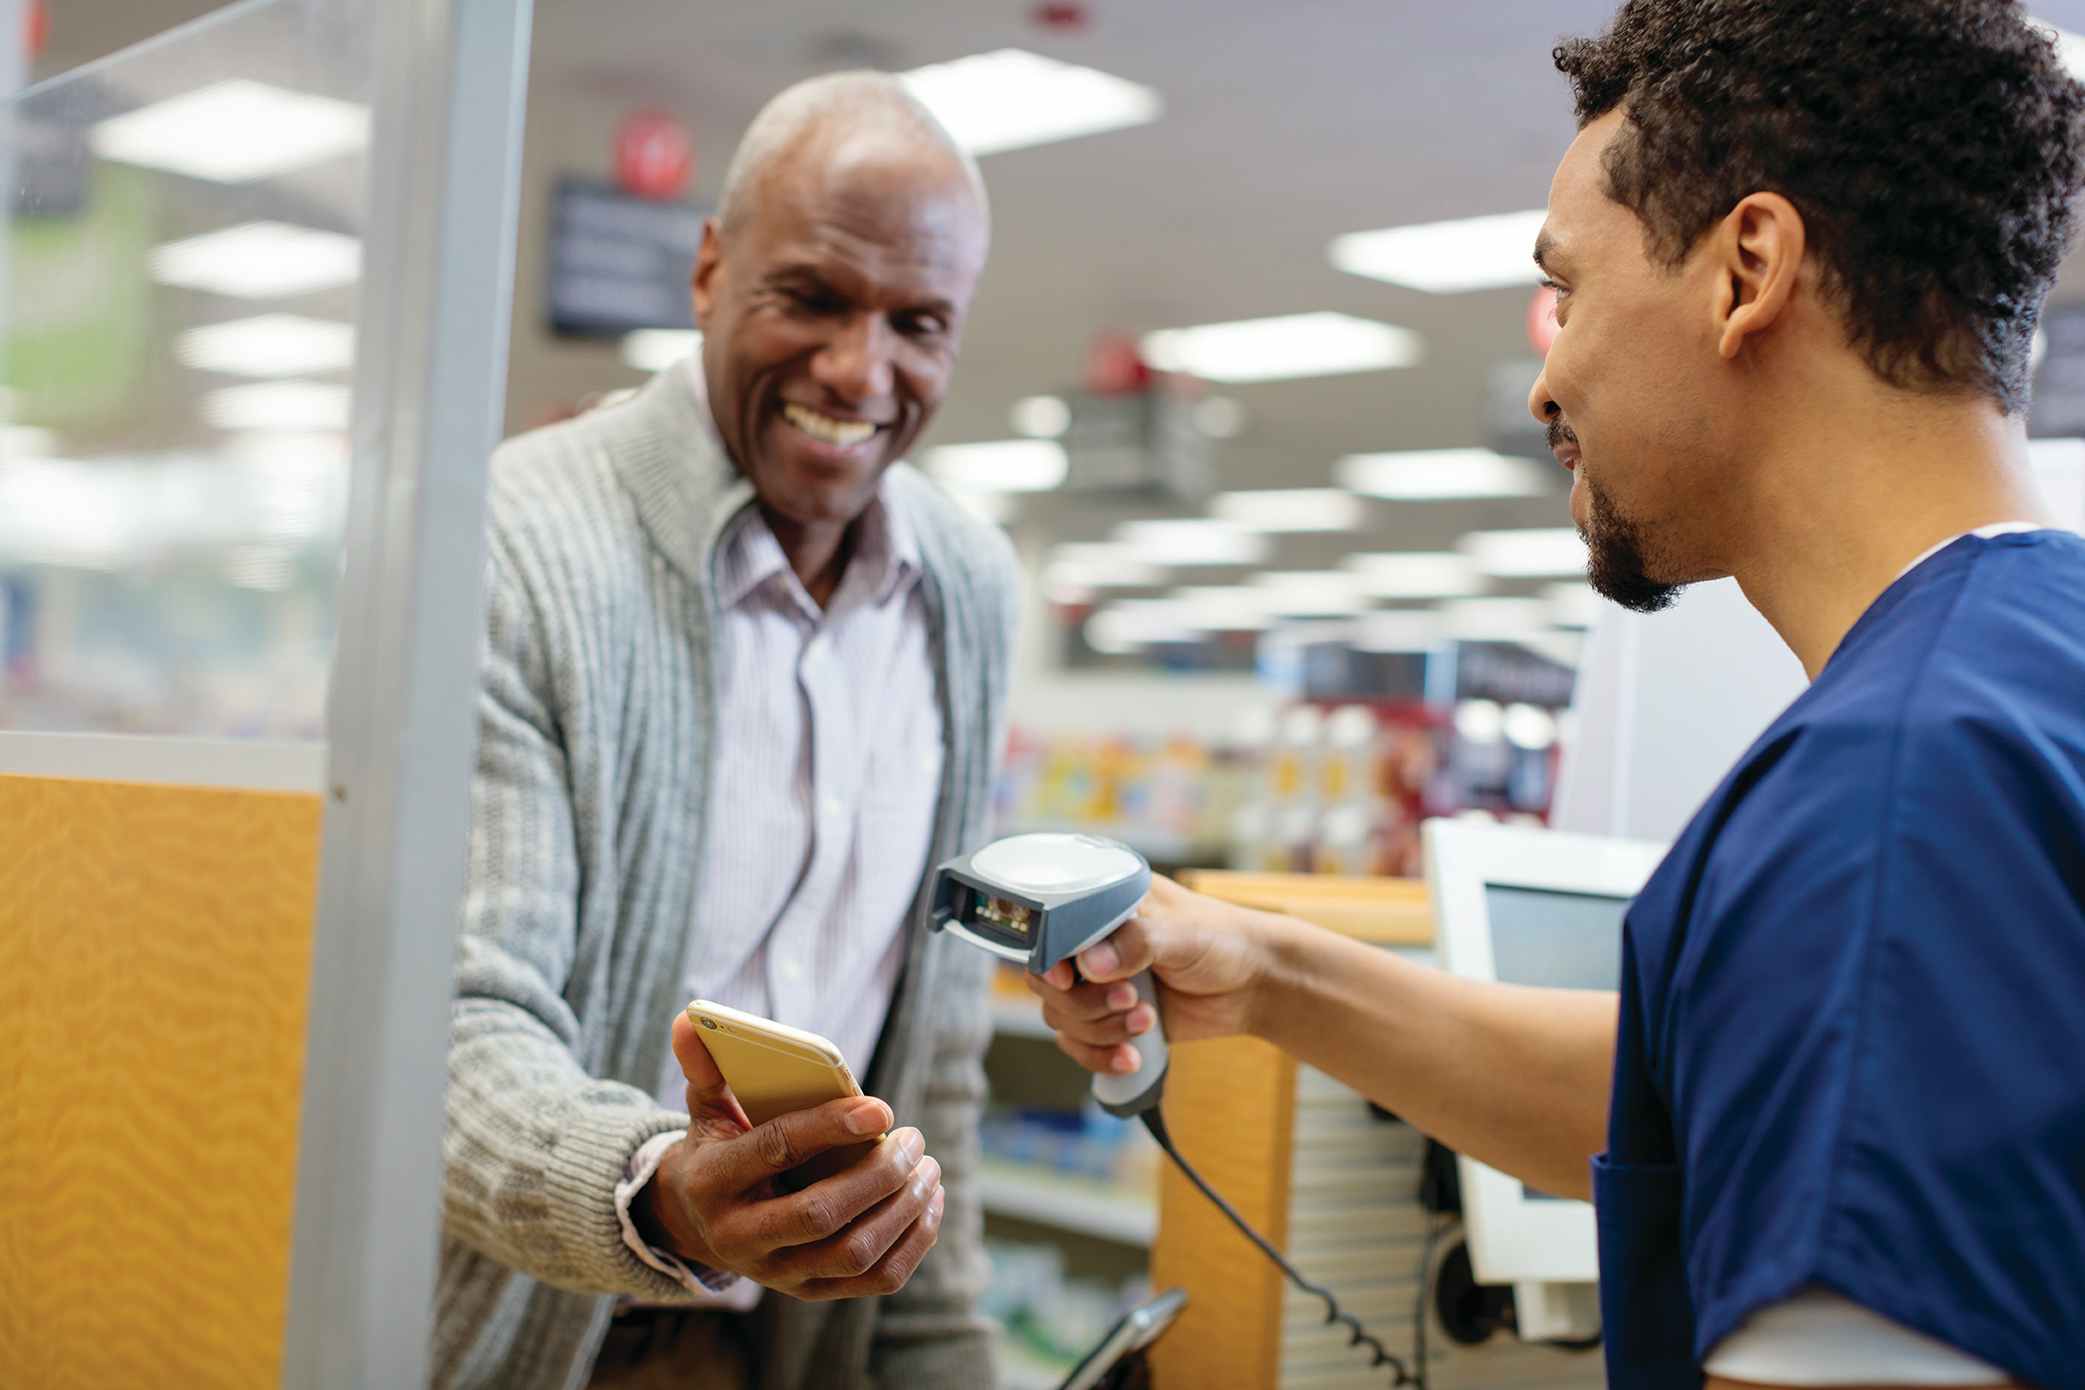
[[1840, 1103]]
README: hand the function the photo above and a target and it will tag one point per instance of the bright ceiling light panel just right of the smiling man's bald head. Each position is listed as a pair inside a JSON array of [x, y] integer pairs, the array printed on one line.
[[1012, 99]]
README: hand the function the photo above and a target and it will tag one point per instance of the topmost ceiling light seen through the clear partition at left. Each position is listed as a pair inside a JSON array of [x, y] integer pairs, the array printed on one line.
[[235, 132]]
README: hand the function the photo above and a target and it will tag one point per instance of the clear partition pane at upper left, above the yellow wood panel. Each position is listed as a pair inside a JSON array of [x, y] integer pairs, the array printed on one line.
[[182, 251]]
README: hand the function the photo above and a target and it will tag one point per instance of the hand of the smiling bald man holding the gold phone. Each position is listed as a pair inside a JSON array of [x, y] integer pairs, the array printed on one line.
[[716, 1199]]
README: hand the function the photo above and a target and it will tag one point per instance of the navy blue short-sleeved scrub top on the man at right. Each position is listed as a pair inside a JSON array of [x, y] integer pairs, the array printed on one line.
[[1853, 1043]]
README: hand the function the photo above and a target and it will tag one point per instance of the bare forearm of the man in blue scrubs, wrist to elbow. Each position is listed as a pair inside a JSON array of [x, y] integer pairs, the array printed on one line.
[[1511, 1076]]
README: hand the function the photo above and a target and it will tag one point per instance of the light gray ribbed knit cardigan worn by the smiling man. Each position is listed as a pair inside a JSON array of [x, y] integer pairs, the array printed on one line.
[[587, 843]]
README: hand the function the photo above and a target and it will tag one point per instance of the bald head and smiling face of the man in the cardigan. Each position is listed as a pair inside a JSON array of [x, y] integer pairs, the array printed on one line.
[[833, 289]]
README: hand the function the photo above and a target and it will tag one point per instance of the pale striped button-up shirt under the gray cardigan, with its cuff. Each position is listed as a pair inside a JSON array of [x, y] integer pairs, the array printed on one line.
[[823, 799]]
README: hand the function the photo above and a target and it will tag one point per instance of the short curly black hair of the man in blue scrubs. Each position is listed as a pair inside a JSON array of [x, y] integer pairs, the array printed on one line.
[[1932, 147]]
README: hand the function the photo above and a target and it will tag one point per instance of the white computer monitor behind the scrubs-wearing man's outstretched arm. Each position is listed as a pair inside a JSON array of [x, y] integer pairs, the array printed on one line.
[[1544, 910]]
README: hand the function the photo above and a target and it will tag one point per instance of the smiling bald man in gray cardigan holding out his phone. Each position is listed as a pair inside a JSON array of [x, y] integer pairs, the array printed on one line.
[[745, 682]]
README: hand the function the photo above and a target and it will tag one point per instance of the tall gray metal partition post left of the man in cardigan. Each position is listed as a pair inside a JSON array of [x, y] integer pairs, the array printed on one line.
[[401, 720]]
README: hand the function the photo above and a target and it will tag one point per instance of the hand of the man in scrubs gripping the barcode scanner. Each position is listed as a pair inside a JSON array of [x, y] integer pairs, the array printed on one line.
[[1208, 960]]
